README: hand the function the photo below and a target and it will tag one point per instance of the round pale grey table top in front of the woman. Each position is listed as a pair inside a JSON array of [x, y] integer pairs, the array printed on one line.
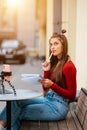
[[21, 94]]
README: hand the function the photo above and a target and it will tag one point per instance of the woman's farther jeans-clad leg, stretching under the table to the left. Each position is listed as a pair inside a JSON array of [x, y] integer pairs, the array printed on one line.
[[16, 108]]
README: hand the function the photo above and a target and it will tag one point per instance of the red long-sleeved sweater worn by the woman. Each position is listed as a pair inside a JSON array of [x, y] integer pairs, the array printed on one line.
[[69, 77]]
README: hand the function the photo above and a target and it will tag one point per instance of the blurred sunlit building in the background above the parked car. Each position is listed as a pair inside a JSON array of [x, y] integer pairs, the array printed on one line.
[[24, 20]]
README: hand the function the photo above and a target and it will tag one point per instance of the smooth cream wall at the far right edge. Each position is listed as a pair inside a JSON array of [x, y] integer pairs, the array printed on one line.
[[81, 43]]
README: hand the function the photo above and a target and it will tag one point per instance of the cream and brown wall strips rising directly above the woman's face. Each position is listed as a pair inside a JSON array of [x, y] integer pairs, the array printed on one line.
[[53, 22]]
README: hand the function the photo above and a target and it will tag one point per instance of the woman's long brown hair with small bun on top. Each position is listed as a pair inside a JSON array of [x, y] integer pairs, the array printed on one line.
[[57, 64]]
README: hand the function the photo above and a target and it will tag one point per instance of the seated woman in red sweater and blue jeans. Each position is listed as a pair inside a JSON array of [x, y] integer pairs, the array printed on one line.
[[59, 86]]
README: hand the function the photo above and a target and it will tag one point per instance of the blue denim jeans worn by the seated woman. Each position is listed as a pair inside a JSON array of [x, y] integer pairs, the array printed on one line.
[[51, 107]]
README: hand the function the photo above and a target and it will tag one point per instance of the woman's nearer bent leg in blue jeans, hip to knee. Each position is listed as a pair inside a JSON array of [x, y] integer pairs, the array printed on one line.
[[44, 110]]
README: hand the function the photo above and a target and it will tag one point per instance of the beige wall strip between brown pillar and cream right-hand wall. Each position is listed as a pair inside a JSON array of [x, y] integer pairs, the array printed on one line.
[[69, 23]]
